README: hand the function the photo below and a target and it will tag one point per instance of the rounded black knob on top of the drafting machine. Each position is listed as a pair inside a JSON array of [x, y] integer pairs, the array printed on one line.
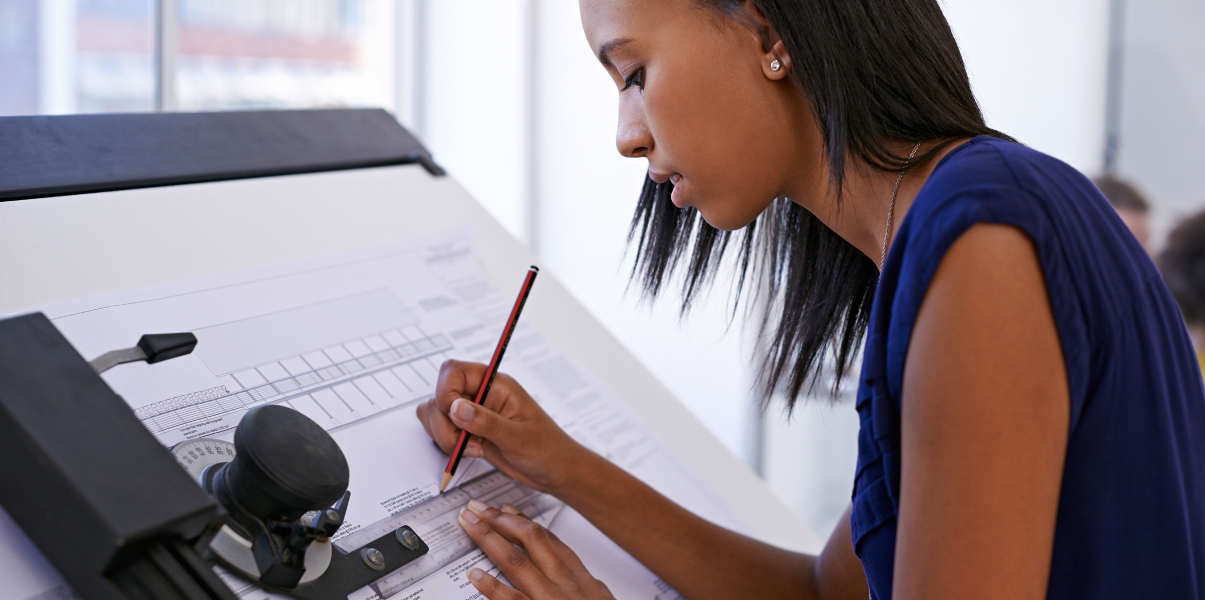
[[285, 466]]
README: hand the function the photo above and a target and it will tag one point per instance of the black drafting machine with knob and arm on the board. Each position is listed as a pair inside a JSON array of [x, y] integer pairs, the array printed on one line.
[[119, 516]]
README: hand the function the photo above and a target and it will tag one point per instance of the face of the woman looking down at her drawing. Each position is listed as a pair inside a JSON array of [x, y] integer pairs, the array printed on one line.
[[700, 101]]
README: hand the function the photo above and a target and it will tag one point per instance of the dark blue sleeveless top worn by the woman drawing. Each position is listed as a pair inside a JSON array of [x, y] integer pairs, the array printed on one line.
[[1132, 509]]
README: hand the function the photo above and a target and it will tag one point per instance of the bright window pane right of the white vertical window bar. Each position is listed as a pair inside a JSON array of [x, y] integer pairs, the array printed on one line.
[[274, 54]]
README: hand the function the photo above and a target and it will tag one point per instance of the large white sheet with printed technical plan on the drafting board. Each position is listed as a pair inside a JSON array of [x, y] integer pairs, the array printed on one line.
[[356, 344]]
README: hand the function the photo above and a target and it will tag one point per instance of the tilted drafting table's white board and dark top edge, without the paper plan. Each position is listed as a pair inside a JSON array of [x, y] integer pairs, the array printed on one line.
[[92, 204]]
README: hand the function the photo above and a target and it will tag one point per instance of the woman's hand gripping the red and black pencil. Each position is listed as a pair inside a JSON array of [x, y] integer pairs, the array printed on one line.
[[510, 431]]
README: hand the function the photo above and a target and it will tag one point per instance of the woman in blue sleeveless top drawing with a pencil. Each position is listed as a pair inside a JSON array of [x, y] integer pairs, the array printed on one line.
[[1032, 417]]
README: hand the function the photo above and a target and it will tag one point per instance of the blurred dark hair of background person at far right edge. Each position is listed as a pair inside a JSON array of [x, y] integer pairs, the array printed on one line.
[[1183, 263]]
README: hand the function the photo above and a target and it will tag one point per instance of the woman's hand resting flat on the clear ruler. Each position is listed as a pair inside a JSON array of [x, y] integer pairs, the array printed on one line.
[[531, 557]]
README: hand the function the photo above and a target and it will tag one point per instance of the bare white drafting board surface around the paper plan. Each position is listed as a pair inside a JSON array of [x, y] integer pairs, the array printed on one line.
[[66, 248]]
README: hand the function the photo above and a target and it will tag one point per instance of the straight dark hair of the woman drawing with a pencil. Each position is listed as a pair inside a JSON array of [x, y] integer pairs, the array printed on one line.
[[874, 73]]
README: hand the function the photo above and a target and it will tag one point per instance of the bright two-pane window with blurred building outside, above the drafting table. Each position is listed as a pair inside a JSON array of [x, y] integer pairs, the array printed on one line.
[[101, 56]]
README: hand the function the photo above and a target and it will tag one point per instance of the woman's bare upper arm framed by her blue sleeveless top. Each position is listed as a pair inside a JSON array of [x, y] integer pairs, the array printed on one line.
[[985, 427]]
